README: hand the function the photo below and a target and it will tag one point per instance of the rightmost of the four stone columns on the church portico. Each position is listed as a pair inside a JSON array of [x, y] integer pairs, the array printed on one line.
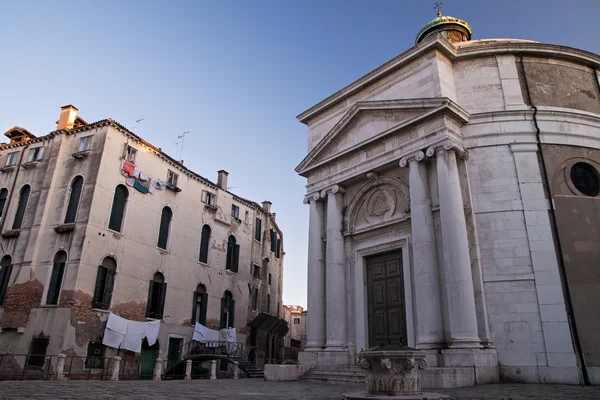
[[457, 277]]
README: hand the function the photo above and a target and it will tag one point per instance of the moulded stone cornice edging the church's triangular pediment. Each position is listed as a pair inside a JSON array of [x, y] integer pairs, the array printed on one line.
[[434, 107]]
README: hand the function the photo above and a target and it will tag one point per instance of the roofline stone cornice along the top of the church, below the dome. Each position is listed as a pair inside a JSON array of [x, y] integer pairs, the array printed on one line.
[[466, 50]]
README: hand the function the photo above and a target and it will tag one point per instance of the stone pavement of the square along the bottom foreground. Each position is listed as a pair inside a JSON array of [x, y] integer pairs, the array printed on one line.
[[255, 389]]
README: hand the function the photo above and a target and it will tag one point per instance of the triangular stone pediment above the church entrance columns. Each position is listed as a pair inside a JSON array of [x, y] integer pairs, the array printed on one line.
[[367, 121]]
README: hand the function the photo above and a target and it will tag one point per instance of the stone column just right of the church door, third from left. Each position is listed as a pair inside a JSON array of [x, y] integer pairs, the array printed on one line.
[[426, 280]]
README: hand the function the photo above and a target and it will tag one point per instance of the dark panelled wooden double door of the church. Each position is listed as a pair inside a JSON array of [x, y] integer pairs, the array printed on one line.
[[385, 299]]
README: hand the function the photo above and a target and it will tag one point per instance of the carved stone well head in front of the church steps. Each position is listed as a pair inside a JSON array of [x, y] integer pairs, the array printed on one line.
[[393, 369]]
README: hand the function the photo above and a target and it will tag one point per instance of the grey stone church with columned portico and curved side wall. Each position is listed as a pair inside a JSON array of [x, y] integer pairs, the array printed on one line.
[[454, 207]]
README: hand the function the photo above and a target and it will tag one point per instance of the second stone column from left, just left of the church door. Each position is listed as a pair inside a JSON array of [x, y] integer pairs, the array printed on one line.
[[335, 275]]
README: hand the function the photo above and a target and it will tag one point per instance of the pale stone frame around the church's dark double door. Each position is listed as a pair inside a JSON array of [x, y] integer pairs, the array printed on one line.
[[371, 247]]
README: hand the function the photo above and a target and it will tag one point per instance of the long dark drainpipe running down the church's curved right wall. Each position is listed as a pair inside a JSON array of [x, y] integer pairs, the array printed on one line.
[[553, 224]]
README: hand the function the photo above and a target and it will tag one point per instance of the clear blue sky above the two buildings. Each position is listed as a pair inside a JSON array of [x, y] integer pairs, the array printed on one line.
[[233, 73]]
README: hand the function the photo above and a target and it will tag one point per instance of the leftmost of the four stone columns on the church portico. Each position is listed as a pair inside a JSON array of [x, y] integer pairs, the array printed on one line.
[[315, 324]]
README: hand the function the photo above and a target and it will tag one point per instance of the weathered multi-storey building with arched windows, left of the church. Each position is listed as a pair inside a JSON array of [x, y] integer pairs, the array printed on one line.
[[81, 237]]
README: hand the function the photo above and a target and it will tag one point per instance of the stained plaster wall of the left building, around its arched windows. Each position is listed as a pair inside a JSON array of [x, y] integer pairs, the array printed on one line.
[[73, 323]]
